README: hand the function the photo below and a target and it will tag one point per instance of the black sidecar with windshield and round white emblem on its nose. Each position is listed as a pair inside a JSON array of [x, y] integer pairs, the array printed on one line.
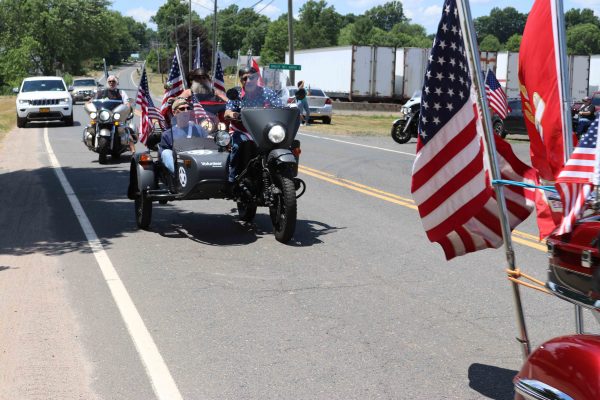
[[200, 159]]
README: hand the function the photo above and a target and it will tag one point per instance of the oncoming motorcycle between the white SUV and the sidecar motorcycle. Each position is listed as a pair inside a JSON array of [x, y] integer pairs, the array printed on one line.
[[110, 128]]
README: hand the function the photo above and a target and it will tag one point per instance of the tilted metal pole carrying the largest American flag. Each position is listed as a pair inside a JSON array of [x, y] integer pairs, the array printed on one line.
[[475, 64]]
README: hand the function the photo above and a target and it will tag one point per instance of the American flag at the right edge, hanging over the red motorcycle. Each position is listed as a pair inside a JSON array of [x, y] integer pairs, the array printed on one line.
[[579, 175]]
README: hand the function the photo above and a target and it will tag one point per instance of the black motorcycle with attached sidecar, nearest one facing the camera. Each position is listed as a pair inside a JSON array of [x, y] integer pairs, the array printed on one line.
[[268, 177]]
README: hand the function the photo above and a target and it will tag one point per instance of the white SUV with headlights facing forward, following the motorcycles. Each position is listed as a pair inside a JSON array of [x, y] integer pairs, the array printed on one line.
[[44, 98]]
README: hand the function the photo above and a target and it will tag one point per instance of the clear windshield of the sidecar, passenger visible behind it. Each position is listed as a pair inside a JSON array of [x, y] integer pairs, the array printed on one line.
[[193, 130]]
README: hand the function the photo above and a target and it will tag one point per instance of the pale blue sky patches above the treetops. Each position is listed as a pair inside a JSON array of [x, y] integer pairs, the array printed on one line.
[[423, 12]]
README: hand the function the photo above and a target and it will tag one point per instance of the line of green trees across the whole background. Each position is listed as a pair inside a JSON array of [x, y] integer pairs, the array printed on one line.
[[73, 36]]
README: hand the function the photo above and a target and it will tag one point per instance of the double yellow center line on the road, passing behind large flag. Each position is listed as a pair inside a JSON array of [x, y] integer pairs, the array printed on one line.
[[523, 238]]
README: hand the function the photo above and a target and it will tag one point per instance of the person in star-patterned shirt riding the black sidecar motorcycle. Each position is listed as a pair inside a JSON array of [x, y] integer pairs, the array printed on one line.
[[253, 95]]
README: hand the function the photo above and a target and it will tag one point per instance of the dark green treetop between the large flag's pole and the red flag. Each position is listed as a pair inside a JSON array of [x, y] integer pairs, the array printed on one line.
[[502, 23]]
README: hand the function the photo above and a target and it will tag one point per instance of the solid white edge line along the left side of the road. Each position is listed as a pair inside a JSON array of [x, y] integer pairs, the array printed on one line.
[[162, 382]]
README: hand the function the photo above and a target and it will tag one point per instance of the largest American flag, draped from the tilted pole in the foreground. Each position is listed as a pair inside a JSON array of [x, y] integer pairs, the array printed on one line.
[[450, 182]]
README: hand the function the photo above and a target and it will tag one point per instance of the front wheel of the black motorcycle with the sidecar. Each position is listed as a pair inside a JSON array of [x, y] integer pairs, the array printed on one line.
[[283, 212]]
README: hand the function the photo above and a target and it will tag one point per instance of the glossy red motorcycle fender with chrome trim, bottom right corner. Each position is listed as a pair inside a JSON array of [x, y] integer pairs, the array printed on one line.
[[567, 366]]
